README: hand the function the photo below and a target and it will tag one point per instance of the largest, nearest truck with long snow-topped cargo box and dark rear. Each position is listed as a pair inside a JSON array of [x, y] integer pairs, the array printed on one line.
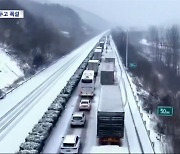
[[110, 115]]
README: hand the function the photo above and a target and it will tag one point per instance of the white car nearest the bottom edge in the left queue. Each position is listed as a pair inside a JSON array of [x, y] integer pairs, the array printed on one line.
[[70, 144]]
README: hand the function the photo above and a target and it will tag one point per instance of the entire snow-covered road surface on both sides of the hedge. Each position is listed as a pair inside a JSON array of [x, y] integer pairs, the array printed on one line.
[[22, 108]]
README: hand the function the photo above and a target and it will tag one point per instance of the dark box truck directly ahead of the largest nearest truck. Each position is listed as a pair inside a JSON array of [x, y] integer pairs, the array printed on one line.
[[107, 73]]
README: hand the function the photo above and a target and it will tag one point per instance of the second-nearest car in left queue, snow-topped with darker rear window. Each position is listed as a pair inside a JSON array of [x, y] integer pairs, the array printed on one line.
[[78, 119]]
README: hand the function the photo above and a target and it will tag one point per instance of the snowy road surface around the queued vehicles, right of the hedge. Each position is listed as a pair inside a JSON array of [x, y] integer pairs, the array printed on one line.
[[131, 143]]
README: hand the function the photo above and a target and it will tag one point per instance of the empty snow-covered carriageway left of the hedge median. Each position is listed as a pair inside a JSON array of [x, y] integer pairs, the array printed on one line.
[[37, 97]]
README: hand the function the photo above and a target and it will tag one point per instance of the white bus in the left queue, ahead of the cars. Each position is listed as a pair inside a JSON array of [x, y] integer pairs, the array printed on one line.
[[87, 84]]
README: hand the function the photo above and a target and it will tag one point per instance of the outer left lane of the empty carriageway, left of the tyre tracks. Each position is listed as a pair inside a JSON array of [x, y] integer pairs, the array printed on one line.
[[21, 92]]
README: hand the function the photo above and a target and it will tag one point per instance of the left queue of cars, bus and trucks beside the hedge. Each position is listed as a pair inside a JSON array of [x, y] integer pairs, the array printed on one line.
[[71, 142]]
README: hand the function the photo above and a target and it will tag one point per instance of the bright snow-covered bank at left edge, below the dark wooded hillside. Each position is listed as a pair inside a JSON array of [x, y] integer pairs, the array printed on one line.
[[9, 69]]
